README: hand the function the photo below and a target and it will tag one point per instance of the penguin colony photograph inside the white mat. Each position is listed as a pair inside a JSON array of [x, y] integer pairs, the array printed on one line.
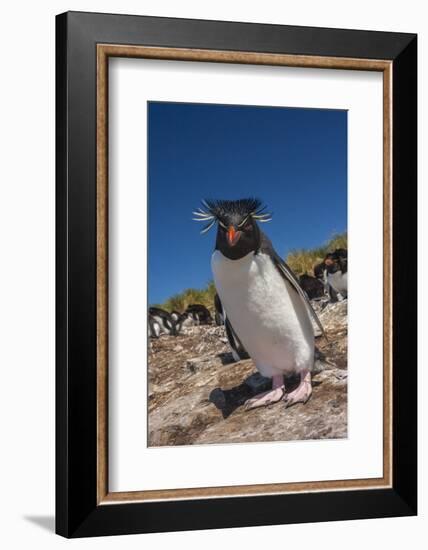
[[247, 315]]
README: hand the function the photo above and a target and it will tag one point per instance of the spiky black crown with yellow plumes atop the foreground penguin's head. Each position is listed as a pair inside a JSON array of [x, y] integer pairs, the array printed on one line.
[[229, 212]]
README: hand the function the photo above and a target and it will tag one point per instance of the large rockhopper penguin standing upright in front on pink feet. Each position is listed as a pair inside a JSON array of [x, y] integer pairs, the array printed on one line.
[[261, 298]]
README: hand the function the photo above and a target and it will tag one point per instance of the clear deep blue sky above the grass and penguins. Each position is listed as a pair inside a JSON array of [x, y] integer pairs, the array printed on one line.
[[295, 160]]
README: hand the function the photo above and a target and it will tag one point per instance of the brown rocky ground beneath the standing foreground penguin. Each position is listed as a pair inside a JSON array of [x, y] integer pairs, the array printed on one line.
[[196, 391]]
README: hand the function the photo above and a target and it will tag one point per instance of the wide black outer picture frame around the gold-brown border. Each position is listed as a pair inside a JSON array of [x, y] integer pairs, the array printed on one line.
[[77, 512]]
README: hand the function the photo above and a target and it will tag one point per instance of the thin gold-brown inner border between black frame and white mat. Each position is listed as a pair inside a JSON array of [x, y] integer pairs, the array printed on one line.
[[104, 51]]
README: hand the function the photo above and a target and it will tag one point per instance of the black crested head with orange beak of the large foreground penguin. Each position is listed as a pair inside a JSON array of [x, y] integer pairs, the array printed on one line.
[[238, 232]]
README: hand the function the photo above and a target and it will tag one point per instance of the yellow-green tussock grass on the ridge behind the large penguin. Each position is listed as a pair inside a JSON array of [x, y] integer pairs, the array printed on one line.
[[300, 260]]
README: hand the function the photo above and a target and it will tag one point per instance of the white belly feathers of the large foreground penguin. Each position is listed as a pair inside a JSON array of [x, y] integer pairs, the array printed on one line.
[[267, 314]]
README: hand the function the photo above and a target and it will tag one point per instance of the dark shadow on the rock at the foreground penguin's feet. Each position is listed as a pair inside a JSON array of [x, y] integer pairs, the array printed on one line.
[[227, 401]]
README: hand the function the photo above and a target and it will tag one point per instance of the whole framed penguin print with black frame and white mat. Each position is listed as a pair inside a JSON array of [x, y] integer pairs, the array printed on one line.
[[236, 248]]
